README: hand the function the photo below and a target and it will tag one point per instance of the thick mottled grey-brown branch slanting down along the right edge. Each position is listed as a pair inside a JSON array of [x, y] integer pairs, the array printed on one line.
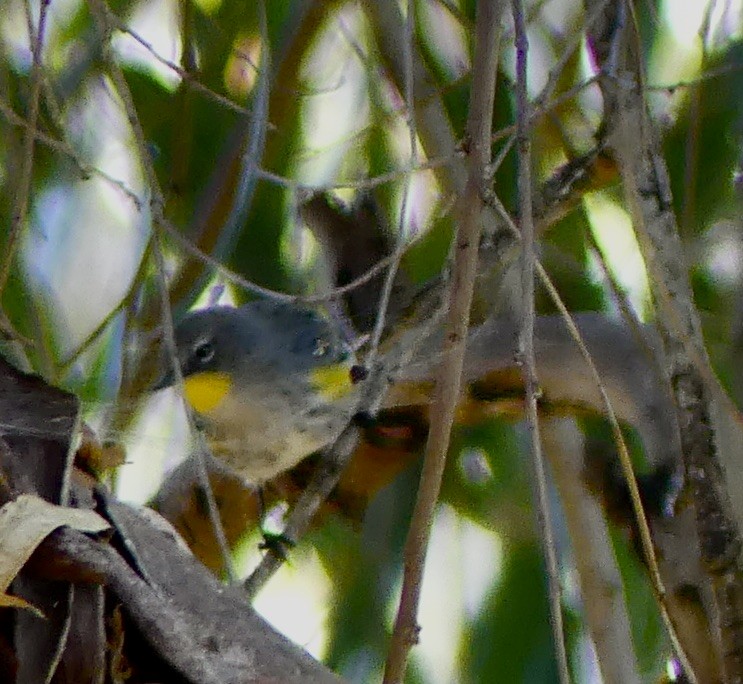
[[714, 484]]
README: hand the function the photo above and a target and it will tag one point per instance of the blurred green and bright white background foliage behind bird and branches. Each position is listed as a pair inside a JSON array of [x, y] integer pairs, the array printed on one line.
[[204, 127]]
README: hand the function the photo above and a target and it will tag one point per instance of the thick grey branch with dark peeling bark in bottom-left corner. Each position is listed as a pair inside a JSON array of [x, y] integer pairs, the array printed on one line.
[[181, 620]]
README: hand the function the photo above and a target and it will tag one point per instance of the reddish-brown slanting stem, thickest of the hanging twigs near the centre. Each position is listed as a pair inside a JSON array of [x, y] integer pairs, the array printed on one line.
[[449, 376]]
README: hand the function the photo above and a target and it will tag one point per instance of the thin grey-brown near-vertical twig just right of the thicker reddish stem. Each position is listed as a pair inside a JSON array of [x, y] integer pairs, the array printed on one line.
[[529, 367]]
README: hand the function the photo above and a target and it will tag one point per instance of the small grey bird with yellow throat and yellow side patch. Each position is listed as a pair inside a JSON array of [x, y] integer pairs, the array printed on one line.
[[270, 383]]
